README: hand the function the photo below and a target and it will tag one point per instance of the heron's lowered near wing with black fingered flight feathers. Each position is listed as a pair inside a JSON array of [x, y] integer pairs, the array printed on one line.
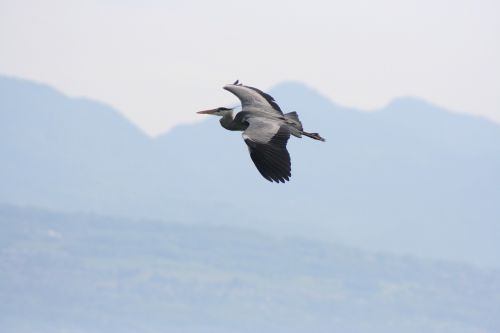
[[266, 141]]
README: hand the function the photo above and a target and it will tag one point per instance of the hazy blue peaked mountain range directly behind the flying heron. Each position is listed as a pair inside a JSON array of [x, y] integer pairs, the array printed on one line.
[[411, 178]]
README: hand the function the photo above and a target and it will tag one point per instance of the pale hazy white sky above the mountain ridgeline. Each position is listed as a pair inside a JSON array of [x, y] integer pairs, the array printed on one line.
[[160, 61]]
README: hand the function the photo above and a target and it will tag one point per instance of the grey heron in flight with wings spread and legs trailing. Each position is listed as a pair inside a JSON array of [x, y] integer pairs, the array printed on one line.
[[266, 130]]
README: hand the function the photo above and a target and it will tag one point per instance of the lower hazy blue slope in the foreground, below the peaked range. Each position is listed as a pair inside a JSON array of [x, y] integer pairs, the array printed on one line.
[[88, 273]]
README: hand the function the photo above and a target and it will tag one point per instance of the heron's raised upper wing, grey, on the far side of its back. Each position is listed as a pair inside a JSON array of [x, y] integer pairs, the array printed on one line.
[[253, 97]]
